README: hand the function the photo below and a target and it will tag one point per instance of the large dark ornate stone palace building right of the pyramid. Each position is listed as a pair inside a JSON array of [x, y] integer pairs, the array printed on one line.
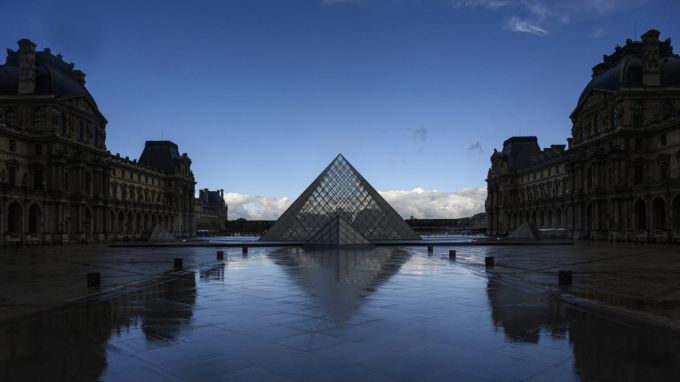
[[619, 179]]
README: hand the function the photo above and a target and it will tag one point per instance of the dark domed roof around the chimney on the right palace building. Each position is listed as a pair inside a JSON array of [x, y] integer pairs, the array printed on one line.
[[623, 69]]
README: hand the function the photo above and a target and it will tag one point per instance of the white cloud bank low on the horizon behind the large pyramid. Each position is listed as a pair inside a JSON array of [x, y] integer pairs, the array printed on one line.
[[417, 203]]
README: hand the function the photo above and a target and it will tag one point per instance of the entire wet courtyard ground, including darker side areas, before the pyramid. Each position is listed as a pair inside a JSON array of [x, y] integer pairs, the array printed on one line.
[[391, 314]]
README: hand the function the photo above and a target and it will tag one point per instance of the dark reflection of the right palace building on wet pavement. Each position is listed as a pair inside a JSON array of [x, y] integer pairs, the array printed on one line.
[[602, 349]]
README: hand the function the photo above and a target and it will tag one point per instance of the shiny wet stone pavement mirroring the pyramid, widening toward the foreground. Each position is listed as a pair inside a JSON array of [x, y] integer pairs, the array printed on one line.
[[291, 315]]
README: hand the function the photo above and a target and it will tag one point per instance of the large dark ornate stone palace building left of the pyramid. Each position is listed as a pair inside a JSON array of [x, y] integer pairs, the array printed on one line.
[[58, 183]]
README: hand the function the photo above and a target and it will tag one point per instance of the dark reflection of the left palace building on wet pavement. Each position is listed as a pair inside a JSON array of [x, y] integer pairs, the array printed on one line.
[[80, 334]]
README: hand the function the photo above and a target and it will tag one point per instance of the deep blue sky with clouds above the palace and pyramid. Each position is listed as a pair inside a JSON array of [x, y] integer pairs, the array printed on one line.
[[262, 95]]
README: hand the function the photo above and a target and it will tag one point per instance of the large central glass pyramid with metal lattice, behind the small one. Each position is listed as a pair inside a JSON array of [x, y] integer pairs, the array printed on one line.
[[340, 190]]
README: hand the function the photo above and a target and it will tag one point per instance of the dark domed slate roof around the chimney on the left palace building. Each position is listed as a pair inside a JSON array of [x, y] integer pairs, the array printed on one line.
[[53, 76]]
